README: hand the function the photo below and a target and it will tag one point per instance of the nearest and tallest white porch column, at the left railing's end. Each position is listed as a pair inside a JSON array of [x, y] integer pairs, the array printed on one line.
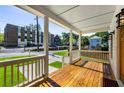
[[46, 30]]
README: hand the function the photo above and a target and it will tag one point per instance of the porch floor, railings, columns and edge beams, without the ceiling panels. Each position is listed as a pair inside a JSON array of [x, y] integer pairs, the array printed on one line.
[[78, 73]]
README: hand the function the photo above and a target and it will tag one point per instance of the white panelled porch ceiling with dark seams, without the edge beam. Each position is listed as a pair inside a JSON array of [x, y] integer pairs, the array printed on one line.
[[87, 18]]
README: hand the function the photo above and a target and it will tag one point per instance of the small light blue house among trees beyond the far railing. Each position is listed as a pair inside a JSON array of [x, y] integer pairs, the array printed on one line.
[[95, 42]]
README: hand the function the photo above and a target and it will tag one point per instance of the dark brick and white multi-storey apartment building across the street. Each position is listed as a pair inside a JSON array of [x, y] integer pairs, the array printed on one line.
[[17, 36]]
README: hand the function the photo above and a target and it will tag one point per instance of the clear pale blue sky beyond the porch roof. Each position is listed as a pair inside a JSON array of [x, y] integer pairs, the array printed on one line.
[[13, 15]]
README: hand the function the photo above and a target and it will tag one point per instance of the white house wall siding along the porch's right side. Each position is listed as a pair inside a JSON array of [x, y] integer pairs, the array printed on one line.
[[114, 61]]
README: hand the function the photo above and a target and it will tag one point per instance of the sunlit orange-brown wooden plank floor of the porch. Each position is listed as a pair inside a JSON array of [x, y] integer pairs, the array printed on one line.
[[90, 74]]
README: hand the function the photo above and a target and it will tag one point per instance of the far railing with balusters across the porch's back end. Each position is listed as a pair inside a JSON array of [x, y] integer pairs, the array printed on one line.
[[101, 55]]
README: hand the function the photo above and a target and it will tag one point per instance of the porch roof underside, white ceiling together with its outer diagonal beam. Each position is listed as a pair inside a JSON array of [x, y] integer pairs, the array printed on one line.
[[82, 19]]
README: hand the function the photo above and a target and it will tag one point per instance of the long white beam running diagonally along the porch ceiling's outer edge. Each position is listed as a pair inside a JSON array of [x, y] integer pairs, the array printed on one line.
[[41, 10]]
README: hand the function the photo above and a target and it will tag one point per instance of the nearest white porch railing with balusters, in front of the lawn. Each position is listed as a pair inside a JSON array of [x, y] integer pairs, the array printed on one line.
[[22, 72]]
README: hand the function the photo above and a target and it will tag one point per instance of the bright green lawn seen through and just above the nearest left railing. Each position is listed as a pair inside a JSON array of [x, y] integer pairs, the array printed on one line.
[[8, 74]]
